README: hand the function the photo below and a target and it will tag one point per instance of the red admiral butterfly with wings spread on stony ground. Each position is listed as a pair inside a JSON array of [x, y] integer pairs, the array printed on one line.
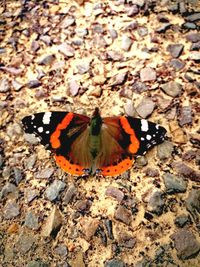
[[96, 145]]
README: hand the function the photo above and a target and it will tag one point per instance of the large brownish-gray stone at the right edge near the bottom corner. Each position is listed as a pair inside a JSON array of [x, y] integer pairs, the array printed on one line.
[[185, 243]]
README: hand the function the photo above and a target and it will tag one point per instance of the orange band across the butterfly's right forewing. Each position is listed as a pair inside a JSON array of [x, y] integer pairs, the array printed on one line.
[[135, 144]]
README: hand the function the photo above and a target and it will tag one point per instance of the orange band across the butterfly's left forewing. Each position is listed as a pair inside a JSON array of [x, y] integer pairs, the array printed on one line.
[[54, 139]]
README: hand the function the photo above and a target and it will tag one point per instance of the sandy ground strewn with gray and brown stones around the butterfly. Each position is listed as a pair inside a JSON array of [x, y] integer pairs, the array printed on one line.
[[139, 58]]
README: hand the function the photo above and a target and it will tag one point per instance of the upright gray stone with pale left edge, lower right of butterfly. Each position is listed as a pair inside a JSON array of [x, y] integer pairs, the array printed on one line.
[[156, 202]]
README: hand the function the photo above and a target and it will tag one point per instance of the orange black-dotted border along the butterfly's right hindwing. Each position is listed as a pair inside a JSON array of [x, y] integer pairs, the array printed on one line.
[[123, 166]]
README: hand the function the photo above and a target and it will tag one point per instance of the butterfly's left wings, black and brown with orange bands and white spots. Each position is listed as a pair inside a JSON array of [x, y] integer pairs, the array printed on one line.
[[65, 134]]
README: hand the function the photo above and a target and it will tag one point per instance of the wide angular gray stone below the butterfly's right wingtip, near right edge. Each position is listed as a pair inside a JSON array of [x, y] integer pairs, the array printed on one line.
[[174, 184]]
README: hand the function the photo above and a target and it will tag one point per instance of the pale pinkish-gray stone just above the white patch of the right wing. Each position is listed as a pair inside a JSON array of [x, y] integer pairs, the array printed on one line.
[[146, 107]]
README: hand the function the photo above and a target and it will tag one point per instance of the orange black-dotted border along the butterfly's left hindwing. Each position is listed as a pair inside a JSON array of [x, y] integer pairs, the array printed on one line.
[[73, 169]]
